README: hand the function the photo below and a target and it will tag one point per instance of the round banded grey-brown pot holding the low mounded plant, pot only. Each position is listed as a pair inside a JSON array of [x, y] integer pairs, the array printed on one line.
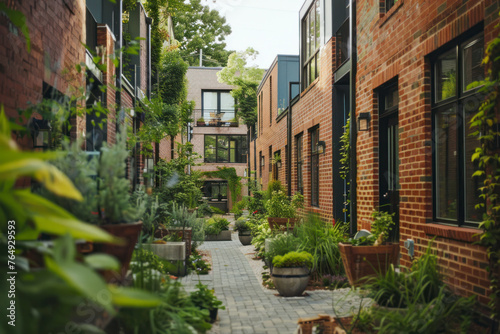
[[290, 282]]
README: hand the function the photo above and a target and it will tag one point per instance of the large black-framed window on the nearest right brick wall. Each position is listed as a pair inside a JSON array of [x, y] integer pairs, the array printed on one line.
[[454, 103]]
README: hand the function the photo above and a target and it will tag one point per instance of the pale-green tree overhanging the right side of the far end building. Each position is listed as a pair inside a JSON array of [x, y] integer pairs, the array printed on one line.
[[247, 80]]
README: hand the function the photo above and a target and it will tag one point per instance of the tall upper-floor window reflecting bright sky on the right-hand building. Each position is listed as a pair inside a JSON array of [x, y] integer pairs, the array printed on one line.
[[311, 42]]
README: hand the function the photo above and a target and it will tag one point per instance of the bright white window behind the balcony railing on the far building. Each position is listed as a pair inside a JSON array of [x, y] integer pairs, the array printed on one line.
[[218, 106]]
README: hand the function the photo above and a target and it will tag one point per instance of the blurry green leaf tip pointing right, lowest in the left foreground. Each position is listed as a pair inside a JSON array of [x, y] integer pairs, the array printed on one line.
[[131, 297]]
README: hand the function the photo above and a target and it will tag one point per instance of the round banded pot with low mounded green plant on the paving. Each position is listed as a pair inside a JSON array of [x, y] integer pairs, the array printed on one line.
[[291, 273]]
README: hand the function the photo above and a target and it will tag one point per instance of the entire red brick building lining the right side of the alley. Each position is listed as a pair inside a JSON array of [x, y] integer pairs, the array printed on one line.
[[401, 71]]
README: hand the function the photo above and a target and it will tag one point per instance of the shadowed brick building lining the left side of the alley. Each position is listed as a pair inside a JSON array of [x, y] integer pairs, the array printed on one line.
[[49, 71]]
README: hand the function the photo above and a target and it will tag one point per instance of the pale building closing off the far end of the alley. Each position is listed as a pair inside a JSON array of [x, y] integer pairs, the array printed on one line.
[[218, 137]]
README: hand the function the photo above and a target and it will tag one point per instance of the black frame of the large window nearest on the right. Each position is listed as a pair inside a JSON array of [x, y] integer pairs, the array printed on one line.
[[462, 99]]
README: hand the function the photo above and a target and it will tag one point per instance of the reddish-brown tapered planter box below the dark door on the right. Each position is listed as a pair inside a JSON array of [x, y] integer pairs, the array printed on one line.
[[363, 262]]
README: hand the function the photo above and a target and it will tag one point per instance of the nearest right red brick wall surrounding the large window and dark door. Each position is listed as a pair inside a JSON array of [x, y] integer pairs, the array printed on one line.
[[396, 44]]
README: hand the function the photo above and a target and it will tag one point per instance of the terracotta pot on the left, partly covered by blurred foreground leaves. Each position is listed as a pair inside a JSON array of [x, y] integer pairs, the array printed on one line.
[[123, 253]]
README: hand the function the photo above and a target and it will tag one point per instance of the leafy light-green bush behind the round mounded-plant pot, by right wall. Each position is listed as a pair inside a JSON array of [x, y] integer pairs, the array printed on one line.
[[282, 211]]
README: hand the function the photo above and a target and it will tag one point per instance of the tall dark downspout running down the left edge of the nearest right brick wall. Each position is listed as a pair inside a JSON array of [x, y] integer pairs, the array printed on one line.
[[353, 129]]
